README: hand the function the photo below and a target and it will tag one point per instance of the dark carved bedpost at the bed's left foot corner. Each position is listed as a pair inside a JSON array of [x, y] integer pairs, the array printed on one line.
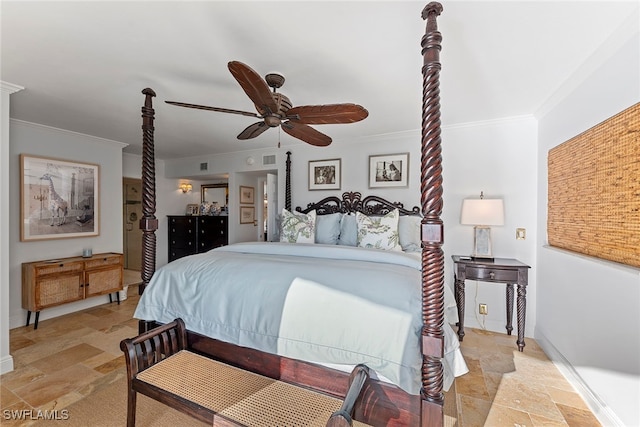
[[148, 222]]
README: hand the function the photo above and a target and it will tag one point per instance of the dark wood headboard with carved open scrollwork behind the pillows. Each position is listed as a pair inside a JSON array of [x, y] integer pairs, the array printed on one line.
[[352, 201]]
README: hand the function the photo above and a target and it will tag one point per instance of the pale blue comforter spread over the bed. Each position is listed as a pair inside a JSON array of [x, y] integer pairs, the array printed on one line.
[[327, 304]]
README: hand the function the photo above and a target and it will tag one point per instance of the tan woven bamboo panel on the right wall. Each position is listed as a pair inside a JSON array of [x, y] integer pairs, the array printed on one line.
[[594, 191]]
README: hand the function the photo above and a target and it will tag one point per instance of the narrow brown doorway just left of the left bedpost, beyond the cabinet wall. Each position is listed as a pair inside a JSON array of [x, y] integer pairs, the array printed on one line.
[[132, 212]]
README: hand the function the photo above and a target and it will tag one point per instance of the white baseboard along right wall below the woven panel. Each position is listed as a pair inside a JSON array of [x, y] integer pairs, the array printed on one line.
[[599, 408]]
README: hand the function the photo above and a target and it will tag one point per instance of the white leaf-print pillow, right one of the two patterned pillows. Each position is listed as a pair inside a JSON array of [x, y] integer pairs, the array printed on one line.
[[379, 232]]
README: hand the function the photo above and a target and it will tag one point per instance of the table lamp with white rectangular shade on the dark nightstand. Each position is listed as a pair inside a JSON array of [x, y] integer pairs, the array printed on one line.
[[482, 213]]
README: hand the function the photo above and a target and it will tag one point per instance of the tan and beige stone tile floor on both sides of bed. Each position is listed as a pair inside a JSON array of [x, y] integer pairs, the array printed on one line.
[[68, 357]]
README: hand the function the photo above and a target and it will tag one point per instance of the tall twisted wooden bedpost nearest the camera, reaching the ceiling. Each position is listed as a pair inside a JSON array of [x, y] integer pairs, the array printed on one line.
[[432, 227]]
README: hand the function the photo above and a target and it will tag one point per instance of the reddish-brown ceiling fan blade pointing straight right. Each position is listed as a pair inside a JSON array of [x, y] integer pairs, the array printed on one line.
[[327, 114]]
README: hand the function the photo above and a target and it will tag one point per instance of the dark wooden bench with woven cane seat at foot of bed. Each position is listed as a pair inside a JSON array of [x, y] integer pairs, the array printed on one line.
[[160, 366]]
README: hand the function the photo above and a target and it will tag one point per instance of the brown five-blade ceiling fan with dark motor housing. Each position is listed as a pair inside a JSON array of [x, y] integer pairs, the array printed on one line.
[[275, 109]]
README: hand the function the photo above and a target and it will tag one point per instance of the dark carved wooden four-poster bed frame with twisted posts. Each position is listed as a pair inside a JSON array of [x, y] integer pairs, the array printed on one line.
[[380, 403]]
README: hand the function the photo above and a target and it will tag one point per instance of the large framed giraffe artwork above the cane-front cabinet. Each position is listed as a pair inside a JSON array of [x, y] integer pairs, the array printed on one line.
[[58, 198]]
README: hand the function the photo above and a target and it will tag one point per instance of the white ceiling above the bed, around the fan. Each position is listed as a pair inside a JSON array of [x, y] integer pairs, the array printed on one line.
[[84, 64]]
